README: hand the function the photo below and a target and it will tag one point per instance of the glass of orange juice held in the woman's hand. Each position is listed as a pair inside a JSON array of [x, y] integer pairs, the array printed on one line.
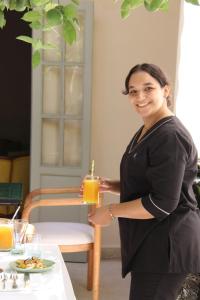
[[91, 189]]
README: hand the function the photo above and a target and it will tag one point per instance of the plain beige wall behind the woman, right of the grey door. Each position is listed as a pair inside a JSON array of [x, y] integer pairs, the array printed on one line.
[[118, 45]]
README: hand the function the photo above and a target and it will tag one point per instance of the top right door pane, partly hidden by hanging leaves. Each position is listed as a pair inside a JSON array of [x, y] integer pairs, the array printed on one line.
[[74, 53]]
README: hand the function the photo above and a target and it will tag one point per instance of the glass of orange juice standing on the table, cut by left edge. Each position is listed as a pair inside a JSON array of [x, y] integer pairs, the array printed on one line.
[[6, 235]]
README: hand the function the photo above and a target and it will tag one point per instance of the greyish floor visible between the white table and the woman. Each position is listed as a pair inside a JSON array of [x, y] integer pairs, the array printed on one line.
[[112, 286]]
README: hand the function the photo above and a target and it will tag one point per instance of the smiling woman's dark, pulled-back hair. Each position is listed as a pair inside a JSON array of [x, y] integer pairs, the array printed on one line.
[[153, 71]]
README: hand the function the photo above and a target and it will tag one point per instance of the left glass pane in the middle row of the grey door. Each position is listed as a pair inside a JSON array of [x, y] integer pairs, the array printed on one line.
[[51, 89]]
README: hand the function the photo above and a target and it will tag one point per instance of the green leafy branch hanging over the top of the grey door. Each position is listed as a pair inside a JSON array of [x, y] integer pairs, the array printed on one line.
[[44, 15]]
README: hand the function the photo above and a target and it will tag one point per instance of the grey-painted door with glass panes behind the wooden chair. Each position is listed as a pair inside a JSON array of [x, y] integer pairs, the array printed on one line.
[[61, 105]]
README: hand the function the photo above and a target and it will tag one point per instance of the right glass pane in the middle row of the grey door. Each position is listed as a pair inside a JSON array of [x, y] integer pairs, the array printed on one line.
[[73, 90]]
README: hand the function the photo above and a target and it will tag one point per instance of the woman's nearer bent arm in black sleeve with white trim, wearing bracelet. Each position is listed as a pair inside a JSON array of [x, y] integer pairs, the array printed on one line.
[[168, 162]]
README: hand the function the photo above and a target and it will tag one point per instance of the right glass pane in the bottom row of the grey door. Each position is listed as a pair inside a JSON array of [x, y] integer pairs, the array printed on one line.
[[72, 143]]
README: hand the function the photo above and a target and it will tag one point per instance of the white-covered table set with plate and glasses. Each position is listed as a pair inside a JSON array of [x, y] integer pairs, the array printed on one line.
[[52, 285]]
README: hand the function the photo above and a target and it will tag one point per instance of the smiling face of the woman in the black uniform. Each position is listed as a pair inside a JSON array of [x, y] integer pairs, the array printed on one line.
[[146, 95]]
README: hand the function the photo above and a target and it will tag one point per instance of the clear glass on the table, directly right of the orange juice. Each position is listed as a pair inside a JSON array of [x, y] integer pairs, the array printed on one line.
[[20, 227]]
